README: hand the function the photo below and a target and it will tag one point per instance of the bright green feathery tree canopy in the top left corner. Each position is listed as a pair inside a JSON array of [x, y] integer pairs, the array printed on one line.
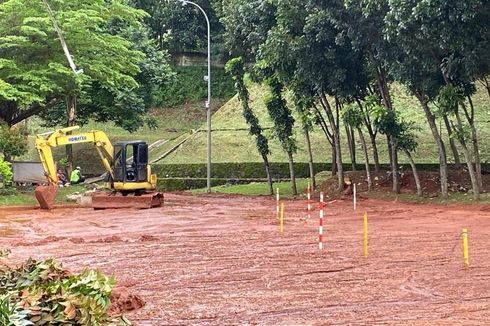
[[110, 62]]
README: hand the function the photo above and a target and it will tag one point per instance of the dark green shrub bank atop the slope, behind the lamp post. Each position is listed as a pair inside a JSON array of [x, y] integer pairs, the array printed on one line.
[[188, 85]]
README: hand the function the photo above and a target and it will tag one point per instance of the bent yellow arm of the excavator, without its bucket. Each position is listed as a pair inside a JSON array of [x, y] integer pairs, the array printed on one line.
[[45, 143]]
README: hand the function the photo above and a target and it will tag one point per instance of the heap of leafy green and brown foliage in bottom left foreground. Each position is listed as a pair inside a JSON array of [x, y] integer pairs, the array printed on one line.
[[40, 293]]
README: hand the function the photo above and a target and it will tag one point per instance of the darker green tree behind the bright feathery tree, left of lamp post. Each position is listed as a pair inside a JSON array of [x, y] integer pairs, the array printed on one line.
[[125, 106]]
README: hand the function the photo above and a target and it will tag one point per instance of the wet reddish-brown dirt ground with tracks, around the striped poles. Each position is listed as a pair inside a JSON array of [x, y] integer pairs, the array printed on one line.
[[221, 260]]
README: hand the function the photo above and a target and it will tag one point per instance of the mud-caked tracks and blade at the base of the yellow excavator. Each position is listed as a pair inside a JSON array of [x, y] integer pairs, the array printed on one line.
[[116, 200]]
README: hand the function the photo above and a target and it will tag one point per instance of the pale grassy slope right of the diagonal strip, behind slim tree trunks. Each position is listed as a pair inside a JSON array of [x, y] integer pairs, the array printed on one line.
[[238, 146]]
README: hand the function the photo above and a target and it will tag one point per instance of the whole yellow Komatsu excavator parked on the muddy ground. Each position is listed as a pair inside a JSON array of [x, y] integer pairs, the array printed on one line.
[[129, 176]]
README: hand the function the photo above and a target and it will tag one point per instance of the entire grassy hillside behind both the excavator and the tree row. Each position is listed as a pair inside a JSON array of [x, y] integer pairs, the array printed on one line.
[[238, 146]]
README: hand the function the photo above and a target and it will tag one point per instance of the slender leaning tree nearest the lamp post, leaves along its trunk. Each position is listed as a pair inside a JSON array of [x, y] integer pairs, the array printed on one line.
[[235, 67]]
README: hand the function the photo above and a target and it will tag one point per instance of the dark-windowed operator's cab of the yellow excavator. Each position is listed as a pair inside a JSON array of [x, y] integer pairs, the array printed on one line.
[[130, 161]]
